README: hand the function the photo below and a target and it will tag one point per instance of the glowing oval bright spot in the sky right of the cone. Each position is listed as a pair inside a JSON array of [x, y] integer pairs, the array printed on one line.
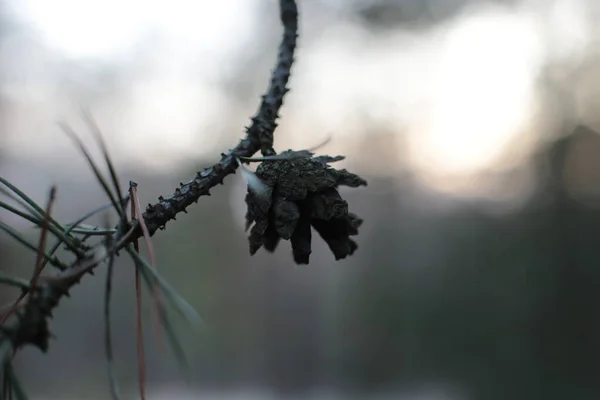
[[484, 91]]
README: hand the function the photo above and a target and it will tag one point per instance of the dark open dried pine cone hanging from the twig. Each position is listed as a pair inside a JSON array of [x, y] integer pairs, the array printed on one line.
[[297, 193]]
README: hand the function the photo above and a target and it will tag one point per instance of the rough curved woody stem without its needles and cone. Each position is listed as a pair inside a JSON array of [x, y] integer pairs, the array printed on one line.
[[31, 326]]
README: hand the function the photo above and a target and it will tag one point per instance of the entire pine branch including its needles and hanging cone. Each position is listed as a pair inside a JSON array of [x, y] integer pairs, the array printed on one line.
[[290, 204]]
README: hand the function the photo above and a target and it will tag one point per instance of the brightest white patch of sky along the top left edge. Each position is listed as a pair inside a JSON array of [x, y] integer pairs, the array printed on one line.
[[90, 28]]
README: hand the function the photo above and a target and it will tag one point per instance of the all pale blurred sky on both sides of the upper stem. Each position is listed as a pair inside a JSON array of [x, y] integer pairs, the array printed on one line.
[[460, 93]]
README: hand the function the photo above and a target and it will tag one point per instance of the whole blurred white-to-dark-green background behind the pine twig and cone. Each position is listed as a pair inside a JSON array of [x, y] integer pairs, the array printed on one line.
[[477, 273]]
